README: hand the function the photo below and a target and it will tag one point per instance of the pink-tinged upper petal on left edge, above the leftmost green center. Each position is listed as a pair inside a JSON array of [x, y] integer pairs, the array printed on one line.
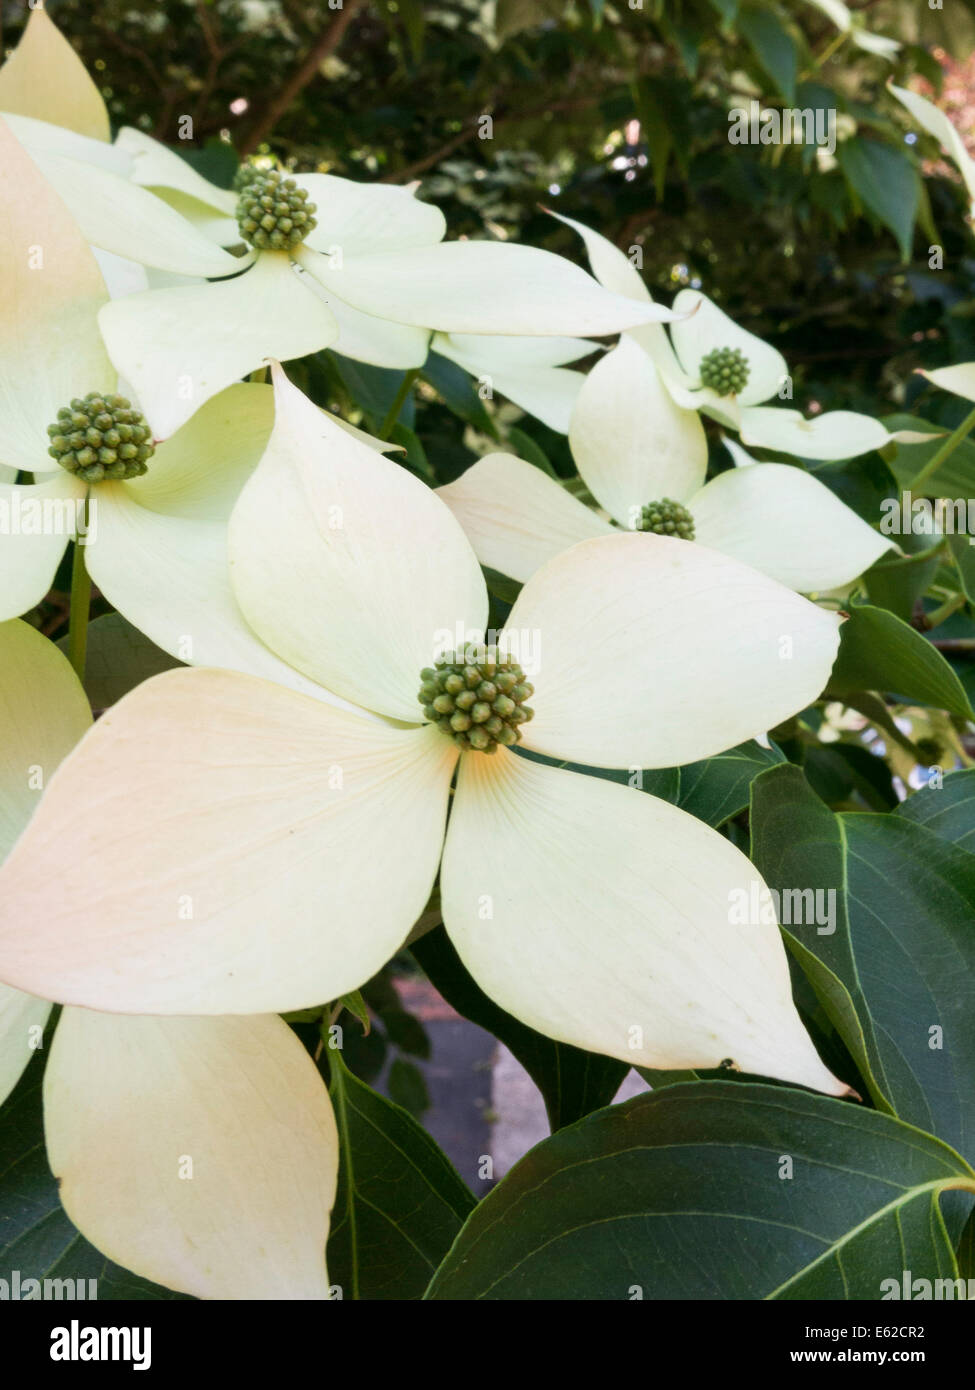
[[52, 291]]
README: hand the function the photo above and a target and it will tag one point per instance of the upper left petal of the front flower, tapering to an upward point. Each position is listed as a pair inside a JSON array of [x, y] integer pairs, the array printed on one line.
[[348, 566]]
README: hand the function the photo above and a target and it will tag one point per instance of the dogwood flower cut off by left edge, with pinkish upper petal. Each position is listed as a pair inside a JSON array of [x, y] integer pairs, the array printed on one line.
[[152, 519]]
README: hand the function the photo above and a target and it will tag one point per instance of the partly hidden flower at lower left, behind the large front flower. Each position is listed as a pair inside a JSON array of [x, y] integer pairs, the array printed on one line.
[[201, 1152]]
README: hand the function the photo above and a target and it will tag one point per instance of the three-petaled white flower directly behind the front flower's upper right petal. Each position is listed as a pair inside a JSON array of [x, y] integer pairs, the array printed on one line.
[[645, 461]]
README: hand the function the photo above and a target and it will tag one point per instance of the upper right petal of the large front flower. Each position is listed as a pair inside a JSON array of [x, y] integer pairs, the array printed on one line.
[[654, 653]]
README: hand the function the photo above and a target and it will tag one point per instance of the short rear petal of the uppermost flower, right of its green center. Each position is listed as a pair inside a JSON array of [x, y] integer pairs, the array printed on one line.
[[358, 219]]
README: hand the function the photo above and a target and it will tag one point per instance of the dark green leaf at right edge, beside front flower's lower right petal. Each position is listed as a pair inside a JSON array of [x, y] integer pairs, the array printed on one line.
[[896, 975]]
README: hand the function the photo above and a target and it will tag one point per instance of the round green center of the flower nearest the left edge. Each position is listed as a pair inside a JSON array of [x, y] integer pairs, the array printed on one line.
[[101, 437]]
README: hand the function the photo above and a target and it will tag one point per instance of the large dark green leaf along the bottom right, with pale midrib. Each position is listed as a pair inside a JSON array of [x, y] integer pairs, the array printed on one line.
[[713, 1191]]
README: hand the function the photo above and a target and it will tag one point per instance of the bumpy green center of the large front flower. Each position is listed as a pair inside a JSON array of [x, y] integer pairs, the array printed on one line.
[[478, 698]]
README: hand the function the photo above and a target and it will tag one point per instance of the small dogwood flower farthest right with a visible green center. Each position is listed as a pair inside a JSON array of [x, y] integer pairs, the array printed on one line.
[[710, 365]]
